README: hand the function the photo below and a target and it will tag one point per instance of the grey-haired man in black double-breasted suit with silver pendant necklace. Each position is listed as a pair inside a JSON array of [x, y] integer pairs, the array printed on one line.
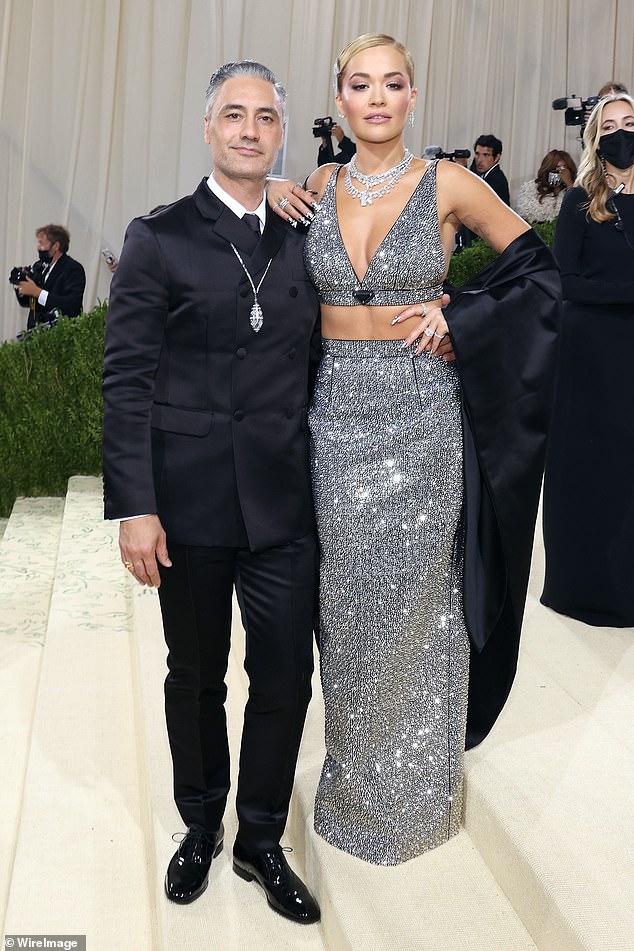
[[212, 339]]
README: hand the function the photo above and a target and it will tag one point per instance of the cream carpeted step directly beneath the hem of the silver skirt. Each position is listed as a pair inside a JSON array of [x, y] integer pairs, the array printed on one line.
[[445, 900]]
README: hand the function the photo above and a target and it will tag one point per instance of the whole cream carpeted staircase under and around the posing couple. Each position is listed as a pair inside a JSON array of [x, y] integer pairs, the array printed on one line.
[[546, 859]]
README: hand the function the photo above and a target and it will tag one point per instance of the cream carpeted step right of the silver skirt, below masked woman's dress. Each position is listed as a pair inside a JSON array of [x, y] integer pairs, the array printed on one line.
[[549, 793]]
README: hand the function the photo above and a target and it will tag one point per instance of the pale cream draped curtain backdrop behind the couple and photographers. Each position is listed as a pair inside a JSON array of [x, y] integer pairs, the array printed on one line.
[[101, 101]]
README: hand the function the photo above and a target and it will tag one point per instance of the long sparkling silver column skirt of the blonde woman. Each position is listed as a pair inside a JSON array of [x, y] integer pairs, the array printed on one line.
[[386, 455]]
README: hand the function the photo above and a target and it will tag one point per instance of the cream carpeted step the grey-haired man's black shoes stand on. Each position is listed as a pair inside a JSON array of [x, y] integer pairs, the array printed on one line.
[[232, 914]]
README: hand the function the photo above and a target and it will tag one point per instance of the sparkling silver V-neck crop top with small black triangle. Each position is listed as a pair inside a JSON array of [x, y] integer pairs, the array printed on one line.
[[407, 268]]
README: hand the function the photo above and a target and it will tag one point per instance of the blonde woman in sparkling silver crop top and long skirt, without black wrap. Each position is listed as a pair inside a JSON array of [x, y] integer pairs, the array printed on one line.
[[387, 464]]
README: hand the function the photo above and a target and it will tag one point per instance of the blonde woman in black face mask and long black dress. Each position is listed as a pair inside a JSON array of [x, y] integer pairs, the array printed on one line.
[[588, 500]]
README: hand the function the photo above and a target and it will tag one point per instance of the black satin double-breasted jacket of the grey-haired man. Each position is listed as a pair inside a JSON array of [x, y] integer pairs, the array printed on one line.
[[205, 420]]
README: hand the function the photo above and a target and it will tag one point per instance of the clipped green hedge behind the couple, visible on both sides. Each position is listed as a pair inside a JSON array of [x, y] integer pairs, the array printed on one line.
[[50, 396]]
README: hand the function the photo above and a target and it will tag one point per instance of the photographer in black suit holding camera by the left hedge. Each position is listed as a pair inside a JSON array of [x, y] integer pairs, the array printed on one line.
[[60, 289]]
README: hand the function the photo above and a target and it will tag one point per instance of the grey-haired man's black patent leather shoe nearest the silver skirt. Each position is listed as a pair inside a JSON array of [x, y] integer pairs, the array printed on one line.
[[284, 890]]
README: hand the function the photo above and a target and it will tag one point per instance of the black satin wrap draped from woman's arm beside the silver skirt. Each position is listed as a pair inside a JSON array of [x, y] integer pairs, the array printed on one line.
[[504, 327]]
